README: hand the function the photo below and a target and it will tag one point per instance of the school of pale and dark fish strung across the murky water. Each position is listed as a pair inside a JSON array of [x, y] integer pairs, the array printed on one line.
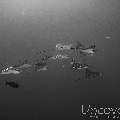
[[60, 54]]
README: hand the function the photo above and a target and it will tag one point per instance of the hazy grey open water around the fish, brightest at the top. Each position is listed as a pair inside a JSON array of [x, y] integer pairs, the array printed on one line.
[[29, 26]]
